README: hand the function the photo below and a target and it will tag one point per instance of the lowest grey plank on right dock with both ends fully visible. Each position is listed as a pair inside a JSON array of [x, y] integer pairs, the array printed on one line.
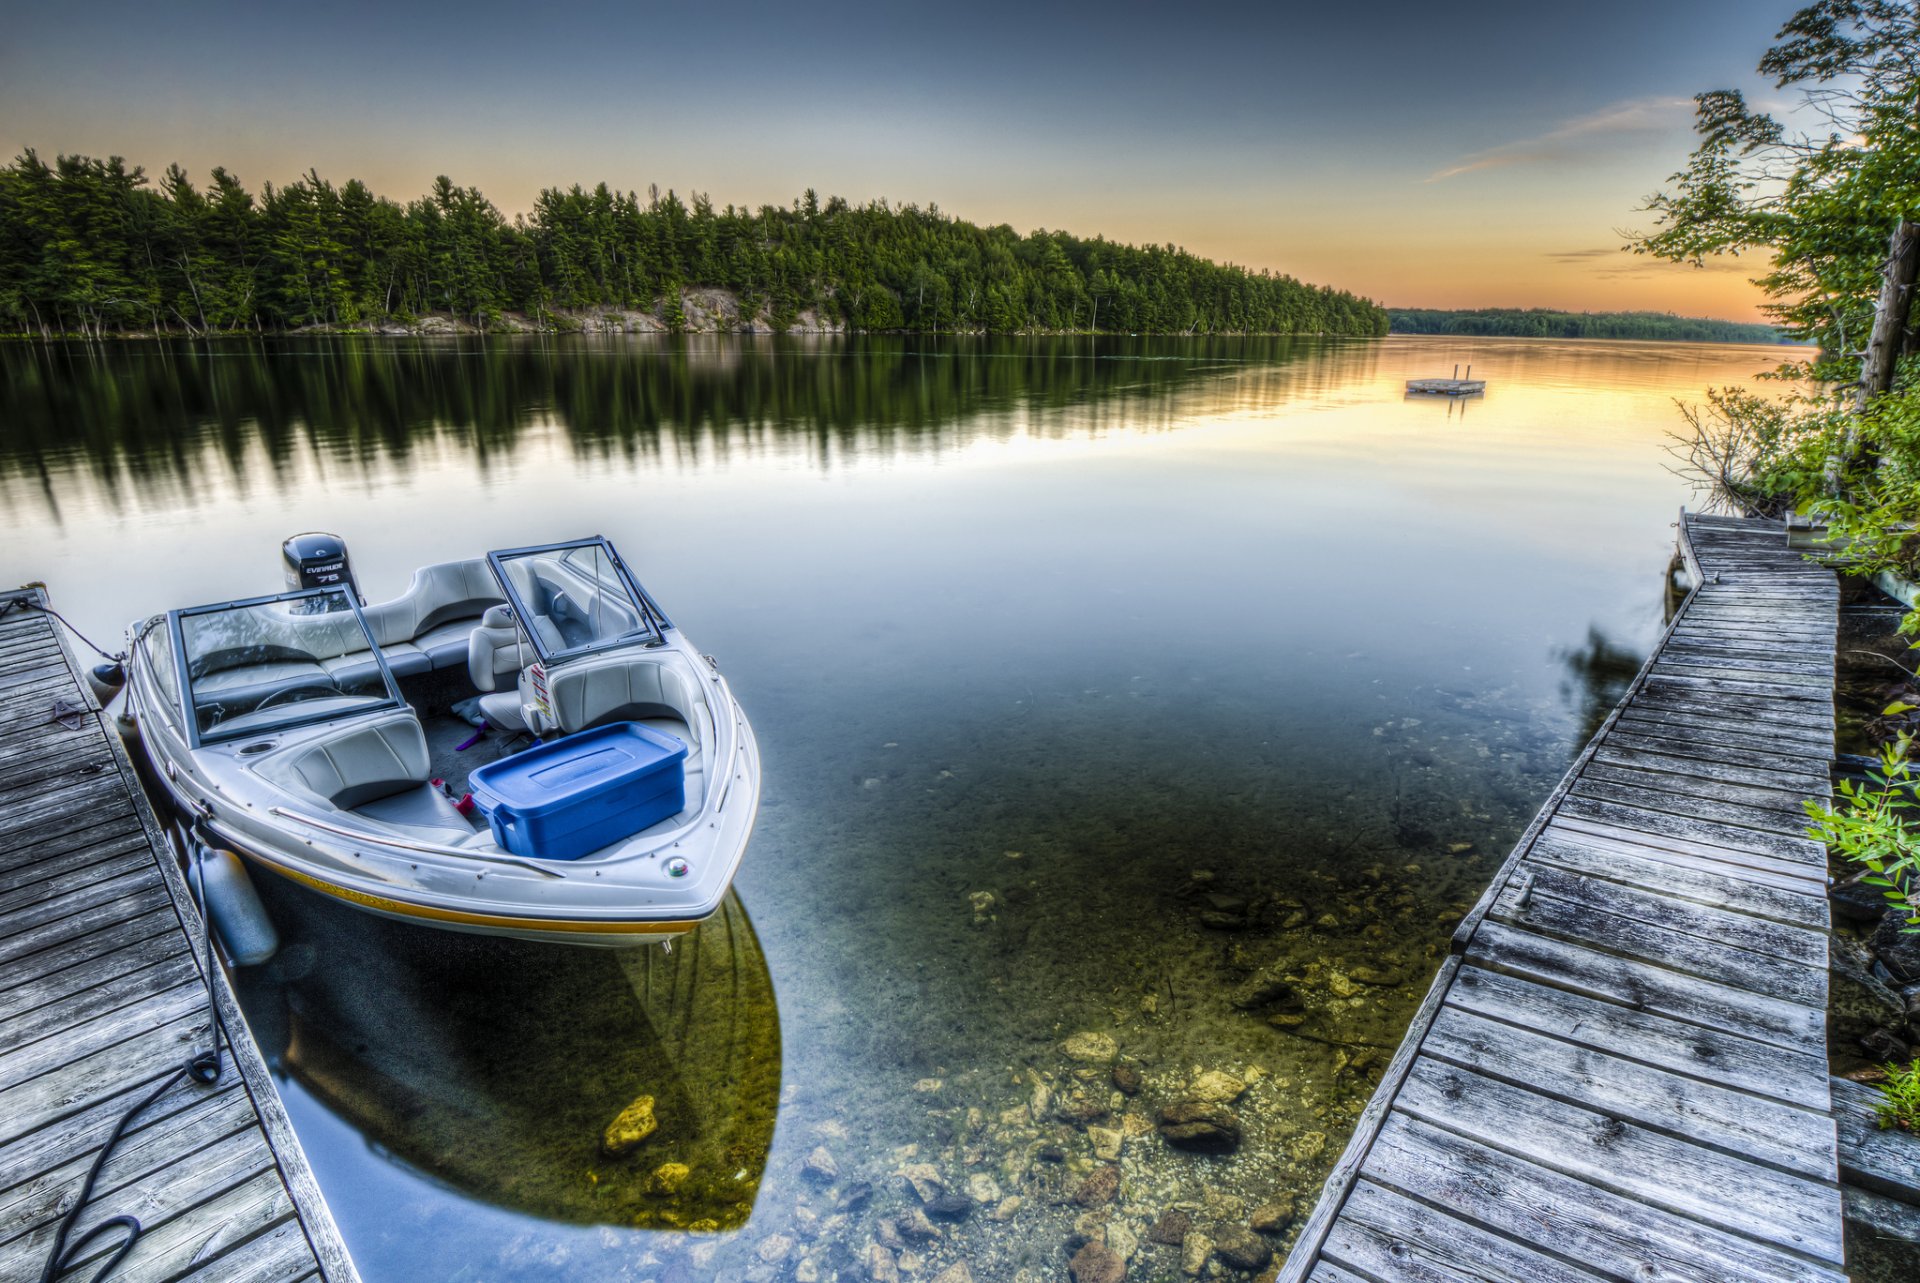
[[1633, 1161]]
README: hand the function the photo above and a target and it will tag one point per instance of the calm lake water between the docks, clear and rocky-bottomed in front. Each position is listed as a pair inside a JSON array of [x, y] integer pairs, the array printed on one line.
[[1092, 681]]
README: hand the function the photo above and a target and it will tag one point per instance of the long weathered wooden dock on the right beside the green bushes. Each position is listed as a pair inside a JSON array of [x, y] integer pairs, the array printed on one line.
[[1621, 1069]]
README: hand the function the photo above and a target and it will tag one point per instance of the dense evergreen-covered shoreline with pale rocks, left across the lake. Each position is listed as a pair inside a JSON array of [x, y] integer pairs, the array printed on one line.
[[93, 249]]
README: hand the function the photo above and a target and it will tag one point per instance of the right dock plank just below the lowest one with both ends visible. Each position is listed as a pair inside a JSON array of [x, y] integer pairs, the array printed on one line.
[[1618, 1236]]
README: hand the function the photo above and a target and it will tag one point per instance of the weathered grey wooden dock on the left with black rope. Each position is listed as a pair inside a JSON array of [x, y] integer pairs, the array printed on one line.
[[103, 1000]]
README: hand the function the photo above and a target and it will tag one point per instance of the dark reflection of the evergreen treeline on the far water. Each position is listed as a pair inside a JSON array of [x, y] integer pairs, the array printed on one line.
[[143, 414]]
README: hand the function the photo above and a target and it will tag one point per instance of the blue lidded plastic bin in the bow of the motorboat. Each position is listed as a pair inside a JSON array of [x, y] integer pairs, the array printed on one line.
[[575, 796]]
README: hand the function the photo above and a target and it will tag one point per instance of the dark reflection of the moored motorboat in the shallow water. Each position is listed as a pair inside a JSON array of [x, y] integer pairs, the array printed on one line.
[[496, 1067]]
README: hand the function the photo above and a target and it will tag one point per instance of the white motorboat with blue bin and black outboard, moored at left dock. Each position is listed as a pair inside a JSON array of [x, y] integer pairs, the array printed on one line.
[[606, 798]]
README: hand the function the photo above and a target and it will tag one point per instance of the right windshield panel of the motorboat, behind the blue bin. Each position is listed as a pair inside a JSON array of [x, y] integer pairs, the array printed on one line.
[[577, 598]]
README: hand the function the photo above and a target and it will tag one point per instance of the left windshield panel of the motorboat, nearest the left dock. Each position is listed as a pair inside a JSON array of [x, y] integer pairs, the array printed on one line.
[[262, 666]]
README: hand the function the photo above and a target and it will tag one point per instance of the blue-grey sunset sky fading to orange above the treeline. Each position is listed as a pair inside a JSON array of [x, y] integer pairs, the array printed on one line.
[[1422, 155]]
